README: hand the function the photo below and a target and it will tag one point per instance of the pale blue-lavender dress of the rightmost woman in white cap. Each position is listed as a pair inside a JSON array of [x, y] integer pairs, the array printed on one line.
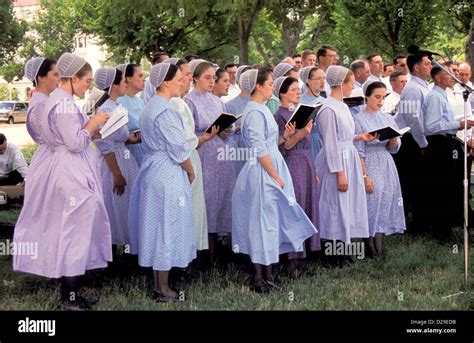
[[385, 204]]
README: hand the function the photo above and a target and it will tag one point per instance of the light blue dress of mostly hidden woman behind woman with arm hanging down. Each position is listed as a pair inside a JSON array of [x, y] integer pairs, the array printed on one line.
[[135, 107]]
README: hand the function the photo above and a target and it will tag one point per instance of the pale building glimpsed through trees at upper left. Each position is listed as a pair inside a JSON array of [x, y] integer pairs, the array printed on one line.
[[85, 46]]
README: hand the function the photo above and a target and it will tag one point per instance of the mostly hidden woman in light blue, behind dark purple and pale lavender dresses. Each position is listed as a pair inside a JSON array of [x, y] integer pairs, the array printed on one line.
[[314, 79]]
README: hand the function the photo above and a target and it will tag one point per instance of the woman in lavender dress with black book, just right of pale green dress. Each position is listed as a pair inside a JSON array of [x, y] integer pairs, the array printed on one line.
[[218, 173]]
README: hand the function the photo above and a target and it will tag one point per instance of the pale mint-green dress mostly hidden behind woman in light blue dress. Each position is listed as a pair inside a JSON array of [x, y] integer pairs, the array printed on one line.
[[197, 187]]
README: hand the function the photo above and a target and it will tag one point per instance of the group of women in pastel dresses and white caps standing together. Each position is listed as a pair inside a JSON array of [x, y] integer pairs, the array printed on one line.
[[160, 188]]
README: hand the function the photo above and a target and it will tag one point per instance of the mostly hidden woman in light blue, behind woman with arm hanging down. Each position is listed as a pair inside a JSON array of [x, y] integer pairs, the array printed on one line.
[[133, 104]]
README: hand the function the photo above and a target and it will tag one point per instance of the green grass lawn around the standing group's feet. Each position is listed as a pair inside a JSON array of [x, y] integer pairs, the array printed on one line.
[[419, 267]]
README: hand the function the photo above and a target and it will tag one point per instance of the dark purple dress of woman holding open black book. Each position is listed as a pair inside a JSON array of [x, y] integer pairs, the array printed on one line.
[[303, 173]]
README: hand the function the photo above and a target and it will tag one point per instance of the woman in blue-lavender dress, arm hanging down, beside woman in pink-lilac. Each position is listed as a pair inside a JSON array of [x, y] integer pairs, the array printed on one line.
[[118, 167]]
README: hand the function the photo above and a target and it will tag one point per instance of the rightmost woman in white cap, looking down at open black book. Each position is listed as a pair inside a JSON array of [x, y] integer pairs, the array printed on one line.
[[384, 195]]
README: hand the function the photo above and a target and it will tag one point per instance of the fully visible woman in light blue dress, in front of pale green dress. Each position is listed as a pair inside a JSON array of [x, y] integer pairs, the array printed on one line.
[[161, 211]]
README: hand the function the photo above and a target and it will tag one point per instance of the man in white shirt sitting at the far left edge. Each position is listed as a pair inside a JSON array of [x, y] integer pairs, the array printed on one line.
[[10, 154]]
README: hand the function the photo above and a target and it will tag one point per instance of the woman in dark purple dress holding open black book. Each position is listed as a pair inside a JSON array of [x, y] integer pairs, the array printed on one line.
[[296, 151]]
